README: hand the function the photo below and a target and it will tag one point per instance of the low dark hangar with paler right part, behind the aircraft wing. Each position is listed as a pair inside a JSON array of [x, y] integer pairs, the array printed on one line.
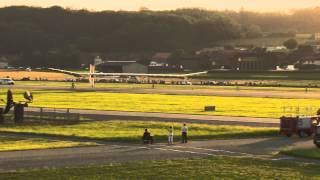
[[122, 67]]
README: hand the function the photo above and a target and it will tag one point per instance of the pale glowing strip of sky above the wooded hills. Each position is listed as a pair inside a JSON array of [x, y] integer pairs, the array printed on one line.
[[257, 5]]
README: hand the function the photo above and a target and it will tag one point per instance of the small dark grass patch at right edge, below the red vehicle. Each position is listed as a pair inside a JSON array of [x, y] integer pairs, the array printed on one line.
[[313, 153]]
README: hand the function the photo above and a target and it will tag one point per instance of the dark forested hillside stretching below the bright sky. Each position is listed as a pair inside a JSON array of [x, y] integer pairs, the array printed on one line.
[[56, 36]]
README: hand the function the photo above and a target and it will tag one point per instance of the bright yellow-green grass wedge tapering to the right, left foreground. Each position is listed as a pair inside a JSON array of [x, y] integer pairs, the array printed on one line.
[[9, 143]]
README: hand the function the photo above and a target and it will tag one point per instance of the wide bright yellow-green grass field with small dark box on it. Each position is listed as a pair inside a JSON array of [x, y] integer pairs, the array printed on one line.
[[184, 104]]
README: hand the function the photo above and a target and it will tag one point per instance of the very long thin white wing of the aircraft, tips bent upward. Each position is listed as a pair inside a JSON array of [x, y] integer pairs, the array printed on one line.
[[78, 74]]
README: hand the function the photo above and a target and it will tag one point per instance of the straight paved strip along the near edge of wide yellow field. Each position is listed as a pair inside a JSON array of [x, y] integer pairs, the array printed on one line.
[[145, 116]]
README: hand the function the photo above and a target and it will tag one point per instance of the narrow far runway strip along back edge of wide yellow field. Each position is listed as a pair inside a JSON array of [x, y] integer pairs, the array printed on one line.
[[203, 92]]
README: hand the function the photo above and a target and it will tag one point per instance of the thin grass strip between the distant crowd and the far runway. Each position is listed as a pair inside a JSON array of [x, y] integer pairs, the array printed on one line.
[[267, 85]]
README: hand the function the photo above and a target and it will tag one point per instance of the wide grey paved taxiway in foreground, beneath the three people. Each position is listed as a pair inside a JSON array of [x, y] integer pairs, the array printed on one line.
[[263, 148]]
